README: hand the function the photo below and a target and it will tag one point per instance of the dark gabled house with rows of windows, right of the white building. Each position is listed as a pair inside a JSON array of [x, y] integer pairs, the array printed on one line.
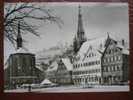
[[115, 64]]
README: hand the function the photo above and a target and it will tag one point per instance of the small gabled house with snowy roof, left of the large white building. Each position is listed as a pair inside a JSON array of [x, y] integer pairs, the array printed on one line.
[[60, 71]]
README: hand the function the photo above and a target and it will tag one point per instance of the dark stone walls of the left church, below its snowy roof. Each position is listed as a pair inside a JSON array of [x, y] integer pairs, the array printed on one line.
[[21, 70]]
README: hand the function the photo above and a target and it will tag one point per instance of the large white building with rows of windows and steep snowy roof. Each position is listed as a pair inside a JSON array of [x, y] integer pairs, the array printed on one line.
[[87, 68]]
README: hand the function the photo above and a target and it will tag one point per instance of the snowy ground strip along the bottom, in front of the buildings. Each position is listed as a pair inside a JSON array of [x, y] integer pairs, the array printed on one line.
[[67, 89]]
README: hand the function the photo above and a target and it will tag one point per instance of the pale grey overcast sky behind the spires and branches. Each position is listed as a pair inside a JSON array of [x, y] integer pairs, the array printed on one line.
[[98, 19]]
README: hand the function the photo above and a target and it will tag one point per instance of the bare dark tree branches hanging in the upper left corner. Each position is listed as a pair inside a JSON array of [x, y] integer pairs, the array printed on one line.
[[22, 12]]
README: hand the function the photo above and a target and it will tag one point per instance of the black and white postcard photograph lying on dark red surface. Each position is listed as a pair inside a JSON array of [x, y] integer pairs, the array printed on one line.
[[66, 47]]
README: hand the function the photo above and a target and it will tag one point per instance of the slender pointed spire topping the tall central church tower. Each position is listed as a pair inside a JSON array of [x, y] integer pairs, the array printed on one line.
[[80, 24]]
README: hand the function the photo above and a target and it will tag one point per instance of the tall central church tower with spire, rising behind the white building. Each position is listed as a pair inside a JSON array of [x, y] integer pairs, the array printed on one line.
[[80, 36]]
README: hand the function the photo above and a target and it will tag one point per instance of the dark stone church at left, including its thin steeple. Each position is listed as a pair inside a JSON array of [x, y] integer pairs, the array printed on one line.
[[21, 67]]
